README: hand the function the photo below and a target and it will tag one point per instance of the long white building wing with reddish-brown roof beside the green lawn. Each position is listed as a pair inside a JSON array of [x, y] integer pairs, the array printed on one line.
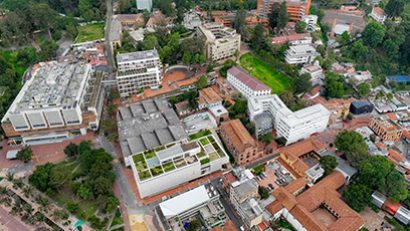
[[246, 84]]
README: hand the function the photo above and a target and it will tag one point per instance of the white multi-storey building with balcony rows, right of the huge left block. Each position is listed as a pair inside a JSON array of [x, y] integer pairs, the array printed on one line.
[[138, 70]]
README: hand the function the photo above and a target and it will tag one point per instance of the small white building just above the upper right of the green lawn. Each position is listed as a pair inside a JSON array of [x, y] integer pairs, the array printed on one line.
[[300, 54]]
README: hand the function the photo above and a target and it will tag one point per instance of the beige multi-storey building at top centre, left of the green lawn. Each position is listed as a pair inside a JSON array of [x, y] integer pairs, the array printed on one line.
[[221, 42]]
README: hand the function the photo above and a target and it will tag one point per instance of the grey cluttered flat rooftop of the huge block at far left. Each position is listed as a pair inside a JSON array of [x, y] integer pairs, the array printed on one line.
[[52, 84]]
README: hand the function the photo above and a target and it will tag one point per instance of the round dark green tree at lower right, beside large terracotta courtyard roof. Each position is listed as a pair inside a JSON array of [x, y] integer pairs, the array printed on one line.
[[357, 196]]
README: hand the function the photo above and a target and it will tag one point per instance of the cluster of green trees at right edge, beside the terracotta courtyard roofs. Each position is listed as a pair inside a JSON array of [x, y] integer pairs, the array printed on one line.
[[374, 172]]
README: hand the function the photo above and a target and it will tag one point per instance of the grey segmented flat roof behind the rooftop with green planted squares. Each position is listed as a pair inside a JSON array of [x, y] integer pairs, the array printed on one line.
[[148, 124]]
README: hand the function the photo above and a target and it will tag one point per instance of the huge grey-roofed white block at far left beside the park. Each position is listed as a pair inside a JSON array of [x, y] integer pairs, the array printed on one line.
[[58, 101]]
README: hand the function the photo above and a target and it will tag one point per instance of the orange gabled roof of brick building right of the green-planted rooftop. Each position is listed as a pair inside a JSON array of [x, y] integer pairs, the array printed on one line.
[[238, 134]]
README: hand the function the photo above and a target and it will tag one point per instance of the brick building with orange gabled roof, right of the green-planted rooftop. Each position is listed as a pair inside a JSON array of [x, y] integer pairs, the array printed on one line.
[[239, 142]]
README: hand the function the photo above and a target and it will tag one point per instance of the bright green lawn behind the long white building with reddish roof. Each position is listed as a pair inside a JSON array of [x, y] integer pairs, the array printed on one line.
[[265, 73]]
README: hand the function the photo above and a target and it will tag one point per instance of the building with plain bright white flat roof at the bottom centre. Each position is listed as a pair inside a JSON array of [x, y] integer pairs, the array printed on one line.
[[202, 202]]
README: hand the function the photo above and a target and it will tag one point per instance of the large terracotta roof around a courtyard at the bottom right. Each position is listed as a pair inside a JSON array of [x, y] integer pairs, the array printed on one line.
[[321, 195]]
